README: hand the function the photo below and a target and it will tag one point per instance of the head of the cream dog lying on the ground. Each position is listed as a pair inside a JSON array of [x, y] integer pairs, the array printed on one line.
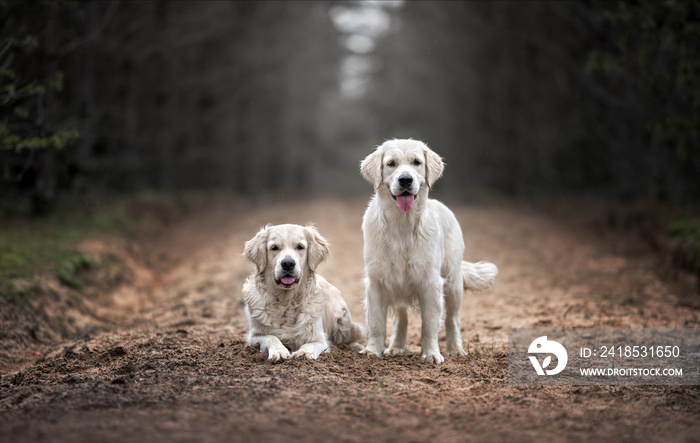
[[284, 253]]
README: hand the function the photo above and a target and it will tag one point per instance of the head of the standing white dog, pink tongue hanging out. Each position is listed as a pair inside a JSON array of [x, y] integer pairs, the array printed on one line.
[[405, 168]]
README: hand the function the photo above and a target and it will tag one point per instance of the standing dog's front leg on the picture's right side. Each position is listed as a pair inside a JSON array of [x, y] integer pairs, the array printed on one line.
[[431, 301]]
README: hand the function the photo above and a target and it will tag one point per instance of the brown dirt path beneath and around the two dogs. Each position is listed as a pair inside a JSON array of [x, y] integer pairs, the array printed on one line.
[[180, 370]]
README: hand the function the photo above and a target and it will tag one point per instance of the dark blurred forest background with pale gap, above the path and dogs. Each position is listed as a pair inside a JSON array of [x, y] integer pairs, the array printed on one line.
[[284, 99]]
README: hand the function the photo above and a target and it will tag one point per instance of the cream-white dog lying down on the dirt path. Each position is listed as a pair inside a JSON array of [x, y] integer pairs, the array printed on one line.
[[288, 305]]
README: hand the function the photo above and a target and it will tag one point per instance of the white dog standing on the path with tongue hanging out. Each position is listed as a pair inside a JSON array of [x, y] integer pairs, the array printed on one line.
[[413, 252]]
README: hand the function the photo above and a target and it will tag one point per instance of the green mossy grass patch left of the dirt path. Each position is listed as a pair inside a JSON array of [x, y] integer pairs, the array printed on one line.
[[33, 247]]
